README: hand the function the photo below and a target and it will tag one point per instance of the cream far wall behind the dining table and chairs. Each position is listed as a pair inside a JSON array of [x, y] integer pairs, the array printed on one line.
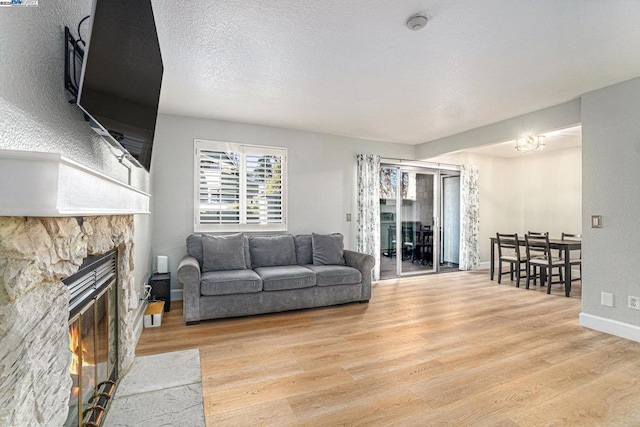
[[534, 192]]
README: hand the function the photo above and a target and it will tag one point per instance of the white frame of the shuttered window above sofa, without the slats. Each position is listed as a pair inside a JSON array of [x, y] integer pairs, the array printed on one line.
[[243, 150]]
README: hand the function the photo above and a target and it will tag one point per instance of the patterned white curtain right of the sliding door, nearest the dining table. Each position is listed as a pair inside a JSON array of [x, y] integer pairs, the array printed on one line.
[[469, 218]]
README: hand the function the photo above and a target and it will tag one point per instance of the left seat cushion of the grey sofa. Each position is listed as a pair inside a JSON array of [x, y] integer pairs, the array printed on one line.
[[227, 282]]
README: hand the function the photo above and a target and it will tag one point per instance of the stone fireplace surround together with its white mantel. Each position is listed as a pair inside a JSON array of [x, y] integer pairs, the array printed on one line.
[[36, 253]]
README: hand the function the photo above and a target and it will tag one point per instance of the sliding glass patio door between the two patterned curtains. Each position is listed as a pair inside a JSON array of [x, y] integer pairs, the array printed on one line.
[[410, 213]]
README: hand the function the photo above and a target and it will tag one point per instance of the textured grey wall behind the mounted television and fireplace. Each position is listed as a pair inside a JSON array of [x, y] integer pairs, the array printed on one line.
[[35, 114]]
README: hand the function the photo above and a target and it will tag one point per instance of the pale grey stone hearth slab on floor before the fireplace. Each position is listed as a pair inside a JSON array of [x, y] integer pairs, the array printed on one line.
[[162, 389]]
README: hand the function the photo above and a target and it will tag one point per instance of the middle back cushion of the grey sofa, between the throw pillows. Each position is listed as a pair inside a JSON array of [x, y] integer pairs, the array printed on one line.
[[272, 250]]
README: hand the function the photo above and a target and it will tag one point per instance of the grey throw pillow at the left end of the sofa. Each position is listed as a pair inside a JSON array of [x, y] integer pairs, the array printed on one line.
[[223, 252]]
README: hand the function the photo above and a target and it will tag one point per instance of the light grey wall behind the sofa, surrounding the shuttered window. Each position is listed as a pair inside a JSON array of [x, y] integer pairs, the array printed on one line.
[[321, 178]]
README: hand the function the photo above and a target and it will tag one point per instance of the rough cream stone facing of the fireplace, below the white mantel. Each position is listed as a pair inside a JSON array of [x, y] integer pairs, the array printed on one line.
[[35, 255]]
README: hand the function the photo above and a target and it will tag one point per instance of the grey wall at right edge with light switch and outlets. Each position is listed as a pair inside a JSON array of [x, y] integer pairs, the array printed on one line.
[[611, 182]]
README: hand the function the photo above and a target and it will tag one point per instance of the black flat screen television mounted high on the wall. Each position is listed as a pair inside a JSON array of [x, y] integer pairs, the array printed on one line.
[[122, 75]]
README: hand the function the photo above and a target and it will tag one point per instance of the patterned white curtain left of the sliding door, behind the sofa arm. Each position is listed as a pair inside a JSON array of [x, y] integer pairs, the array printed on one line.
[[368, 238]]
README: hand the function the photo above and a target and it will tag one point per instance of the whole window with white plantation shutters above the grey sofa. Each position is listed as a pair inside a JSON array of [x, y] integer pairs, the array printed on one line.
[[239, 187]]
